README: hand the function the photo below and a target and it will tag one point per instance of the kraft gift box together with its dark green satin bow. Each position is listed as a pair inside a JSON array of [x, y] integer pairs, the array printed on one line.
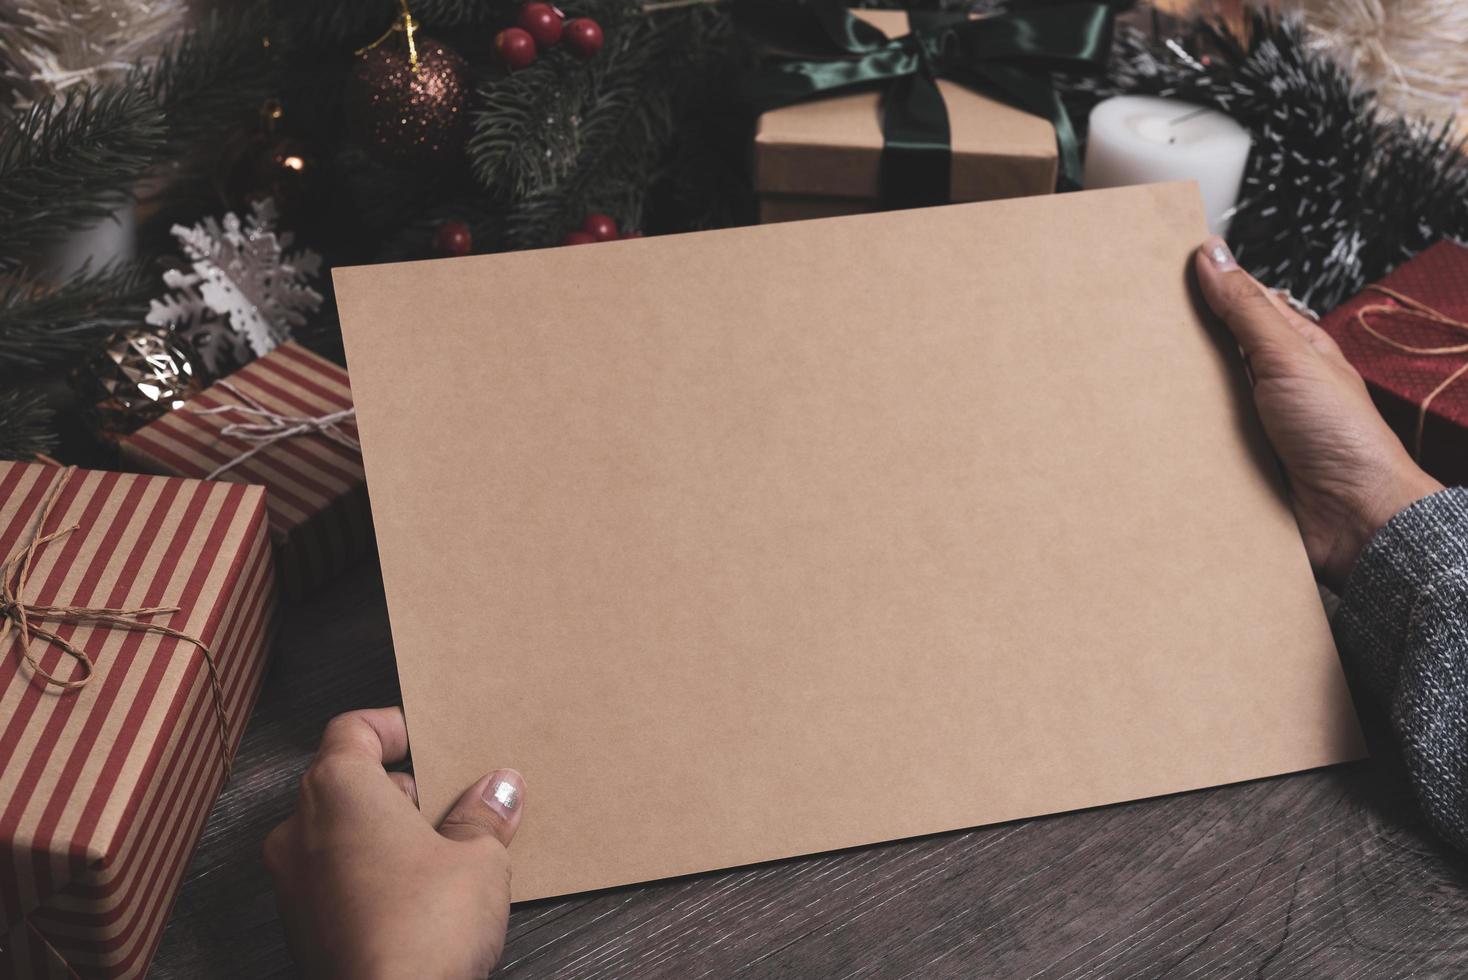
[[886, 109]]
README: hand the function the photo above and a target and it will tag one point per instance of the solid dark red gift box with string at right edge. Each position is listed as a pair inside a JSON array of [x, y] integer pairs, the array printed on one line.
[[1409, 337]]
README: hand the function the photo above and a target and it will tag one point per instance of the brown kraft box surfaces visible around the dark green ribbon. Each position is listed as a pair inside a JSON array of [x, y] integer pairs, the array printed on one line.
[[823, 158]]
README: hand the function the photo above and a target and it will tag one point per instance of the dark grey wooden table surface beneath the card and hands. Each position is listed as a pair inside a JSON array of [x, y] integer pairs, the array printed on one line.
[[1319, 875]]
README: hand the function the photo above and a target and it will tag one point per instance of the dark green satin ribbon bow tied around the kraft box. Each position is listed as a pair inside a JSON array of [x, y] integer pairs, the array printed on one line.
[[1009, 55]]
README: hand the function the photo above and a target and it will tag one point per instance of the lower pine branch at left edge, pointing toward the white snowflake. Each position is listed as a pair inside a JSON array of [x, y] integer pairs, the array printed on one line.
[[45, 326]]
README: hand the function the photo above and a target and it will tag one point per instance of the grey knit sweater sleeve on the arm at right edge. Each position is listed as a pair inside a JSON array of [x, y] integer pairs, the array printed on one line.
[[1403, 629]]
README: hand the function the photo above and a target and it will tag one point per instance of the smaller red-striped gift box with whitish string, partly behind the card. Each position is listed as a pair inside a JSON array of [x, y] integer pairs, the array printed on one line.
[[316, 488]]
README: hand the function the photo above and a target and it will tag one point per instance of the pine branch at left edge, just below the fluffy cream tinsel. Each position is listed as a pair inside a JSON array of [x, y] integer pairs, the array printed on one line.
[[71, 161]]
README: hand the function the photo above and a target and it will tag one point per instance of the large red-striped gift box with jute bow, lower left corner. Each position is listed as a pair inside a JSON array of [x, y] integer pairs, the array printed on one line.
[[105, 789]]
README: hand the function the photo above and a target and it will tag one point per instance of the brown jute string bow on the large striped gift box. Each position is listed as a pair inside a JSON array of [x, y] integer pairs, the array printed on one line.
[[21, 615]]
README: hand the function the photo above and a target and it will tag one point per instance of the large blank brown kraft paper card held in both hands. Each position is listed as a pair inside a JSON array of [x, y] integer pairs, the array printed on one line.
[[776, 541]]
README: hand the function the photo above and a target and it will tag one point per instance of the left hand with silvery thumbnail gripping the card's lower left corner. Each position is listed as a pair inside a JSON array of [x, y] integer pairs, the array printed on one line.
[[368, 888]]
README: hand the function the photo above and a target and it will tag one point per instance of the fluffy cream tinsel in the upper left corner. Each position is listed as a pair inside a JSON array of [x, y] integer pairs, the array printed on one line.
[[54, 46]]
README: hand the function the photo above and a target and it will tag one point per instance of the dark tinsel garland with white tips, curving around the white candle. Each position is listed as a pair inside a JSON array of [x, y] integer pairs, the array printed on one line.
[[1337, 194]]
